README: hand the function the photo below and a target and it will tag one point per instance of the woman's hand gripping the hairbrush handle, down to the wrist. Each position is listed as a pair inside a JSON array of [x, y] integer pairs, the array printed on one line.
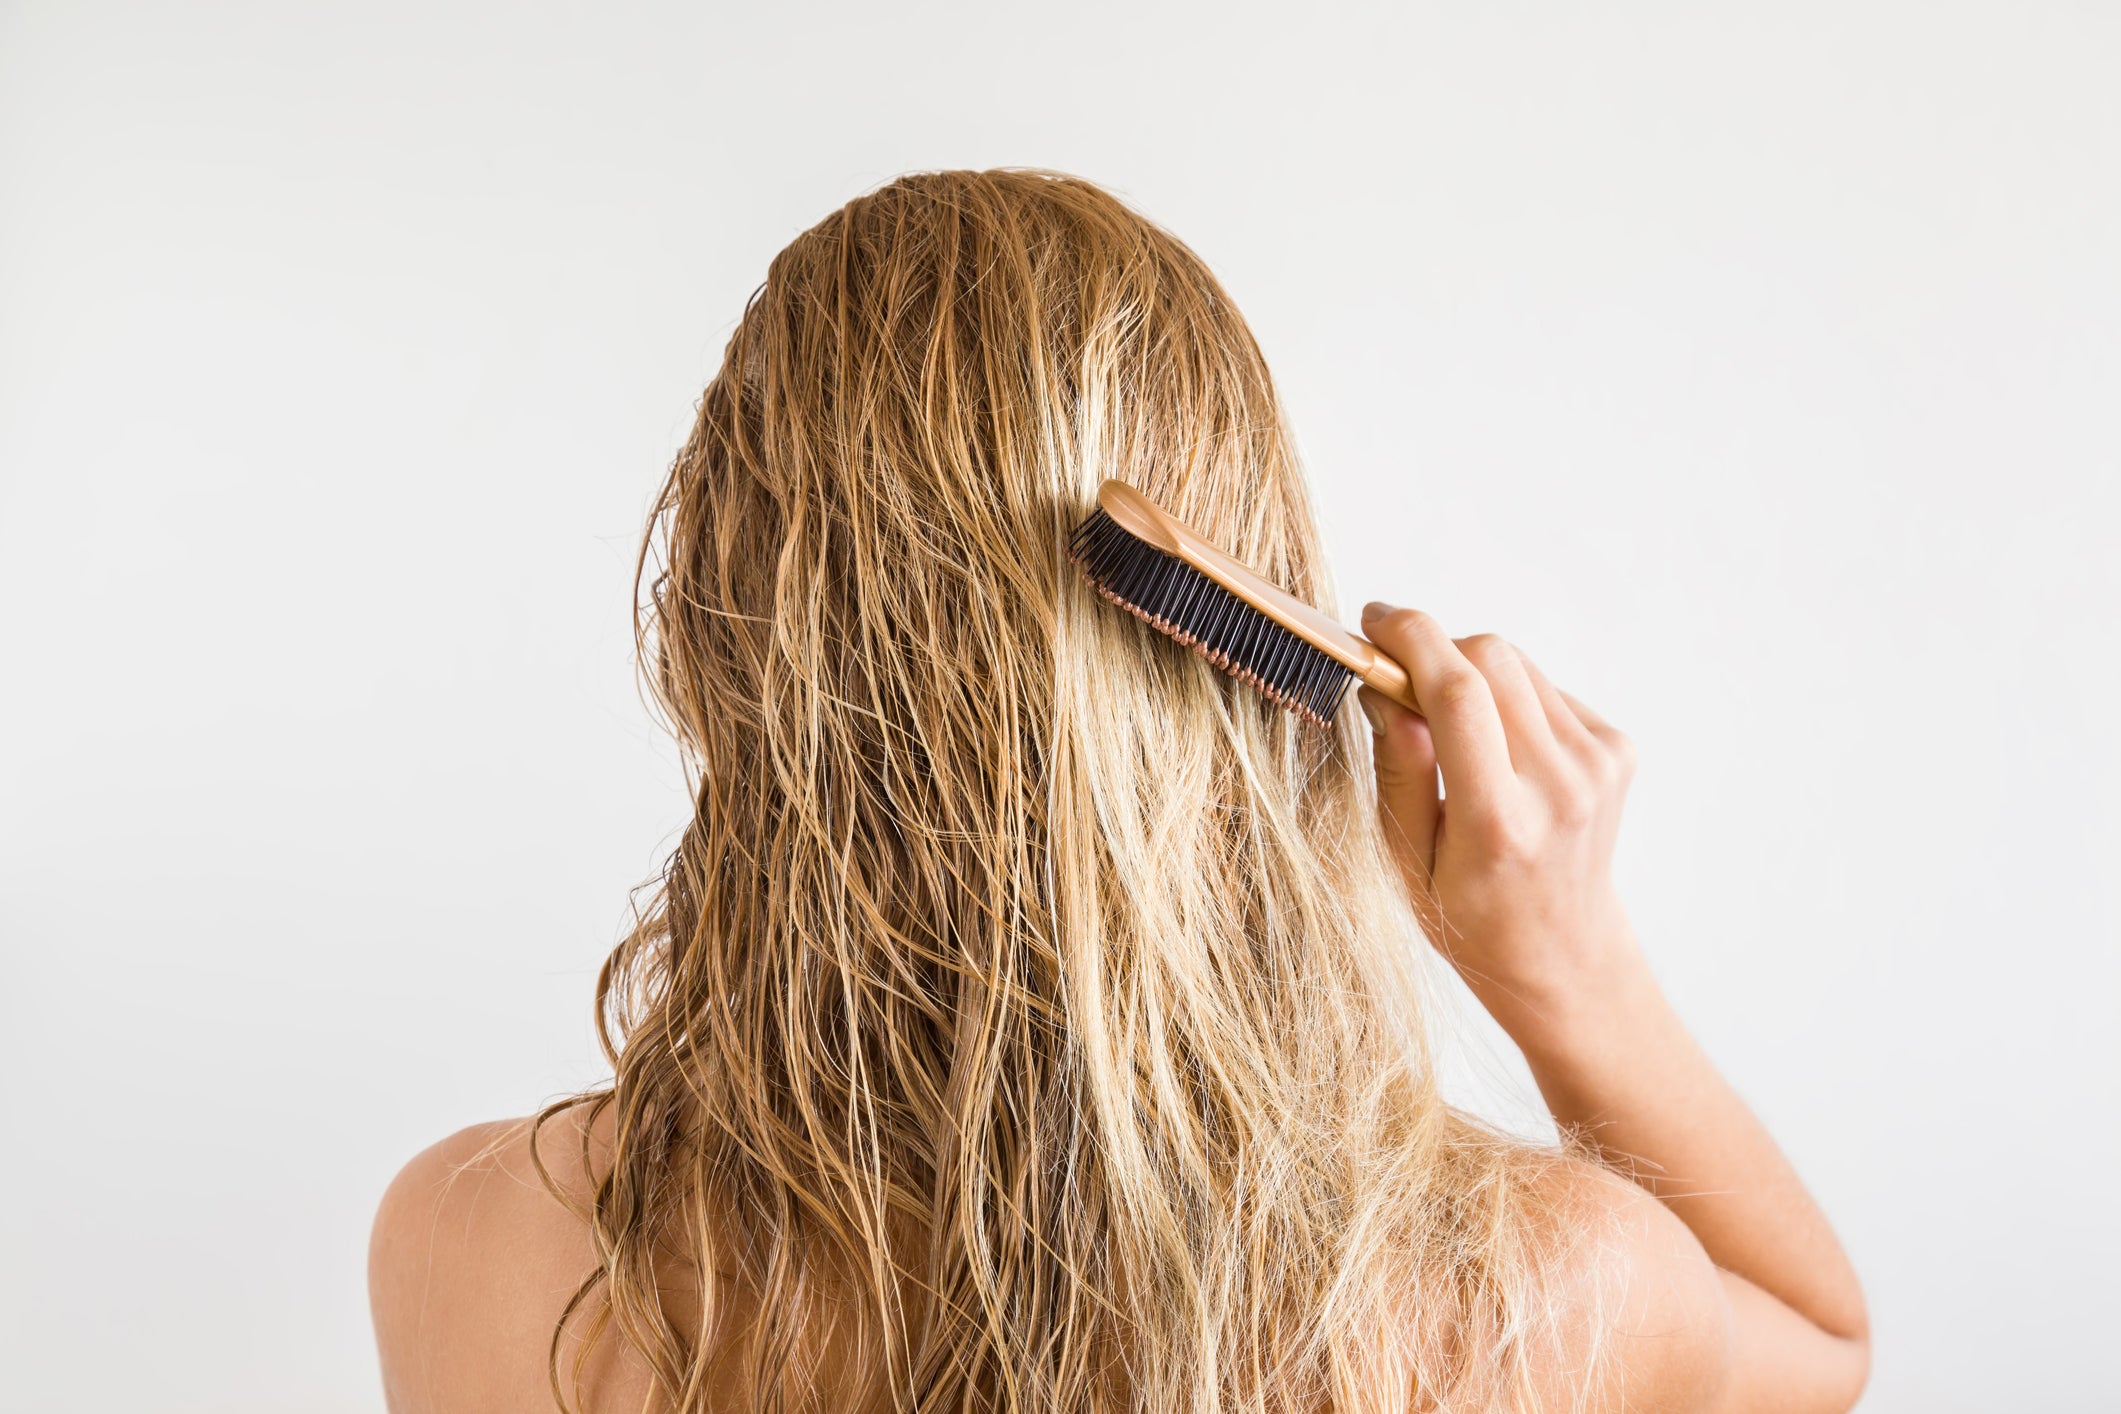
[[1511, 860]]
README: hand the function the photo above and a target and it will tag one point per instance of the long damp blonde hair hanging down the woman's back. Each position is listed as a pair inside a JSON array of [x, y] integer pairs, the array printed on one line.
[[1028, 1017]]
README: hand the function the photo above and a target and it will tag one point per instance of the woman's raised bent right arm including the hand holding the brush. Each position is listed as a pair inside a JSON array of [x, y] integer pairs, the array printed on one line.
[[1509, 864]]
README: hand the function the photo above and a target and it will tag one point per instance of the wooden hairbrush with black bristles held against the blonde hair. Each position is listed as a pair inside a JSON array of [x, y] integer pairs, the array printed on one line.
[[1174, 580]]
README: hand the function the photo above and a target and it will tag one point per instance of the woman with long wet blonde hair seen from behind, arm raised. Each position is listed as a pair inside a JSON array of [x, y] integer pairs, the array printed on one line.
[[1030, 1017]]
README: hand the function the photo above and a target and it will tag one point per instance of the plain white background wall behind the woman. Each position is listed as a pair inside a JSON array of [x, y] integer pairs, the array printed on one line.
[[1753, 366]]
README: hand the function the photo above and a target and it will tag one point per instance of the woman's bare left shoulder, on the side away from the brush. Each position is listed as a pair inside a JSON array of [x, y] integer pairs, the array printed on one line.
[[472, 1262]]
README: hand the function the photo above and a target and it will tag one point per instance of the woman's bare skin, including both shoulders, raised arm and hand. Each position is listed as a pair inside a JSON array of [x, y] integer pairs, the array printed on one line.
[[1719, 1292]]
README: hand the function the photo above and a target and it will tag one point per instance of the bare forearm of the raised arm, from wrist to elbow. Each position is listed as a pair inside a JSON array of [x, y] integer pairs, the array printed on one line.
[[1617, 1065]]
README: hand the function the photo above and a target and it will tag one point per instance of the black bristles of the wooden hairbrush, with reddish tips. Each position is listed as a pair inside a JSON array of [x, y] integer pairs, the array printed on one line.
[[1180, 601]]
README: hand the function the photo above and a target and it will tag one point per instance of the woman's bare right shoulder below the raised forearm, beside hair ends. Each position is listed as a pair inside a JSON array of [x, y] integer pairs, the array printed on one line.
[[1643, 1313]]
